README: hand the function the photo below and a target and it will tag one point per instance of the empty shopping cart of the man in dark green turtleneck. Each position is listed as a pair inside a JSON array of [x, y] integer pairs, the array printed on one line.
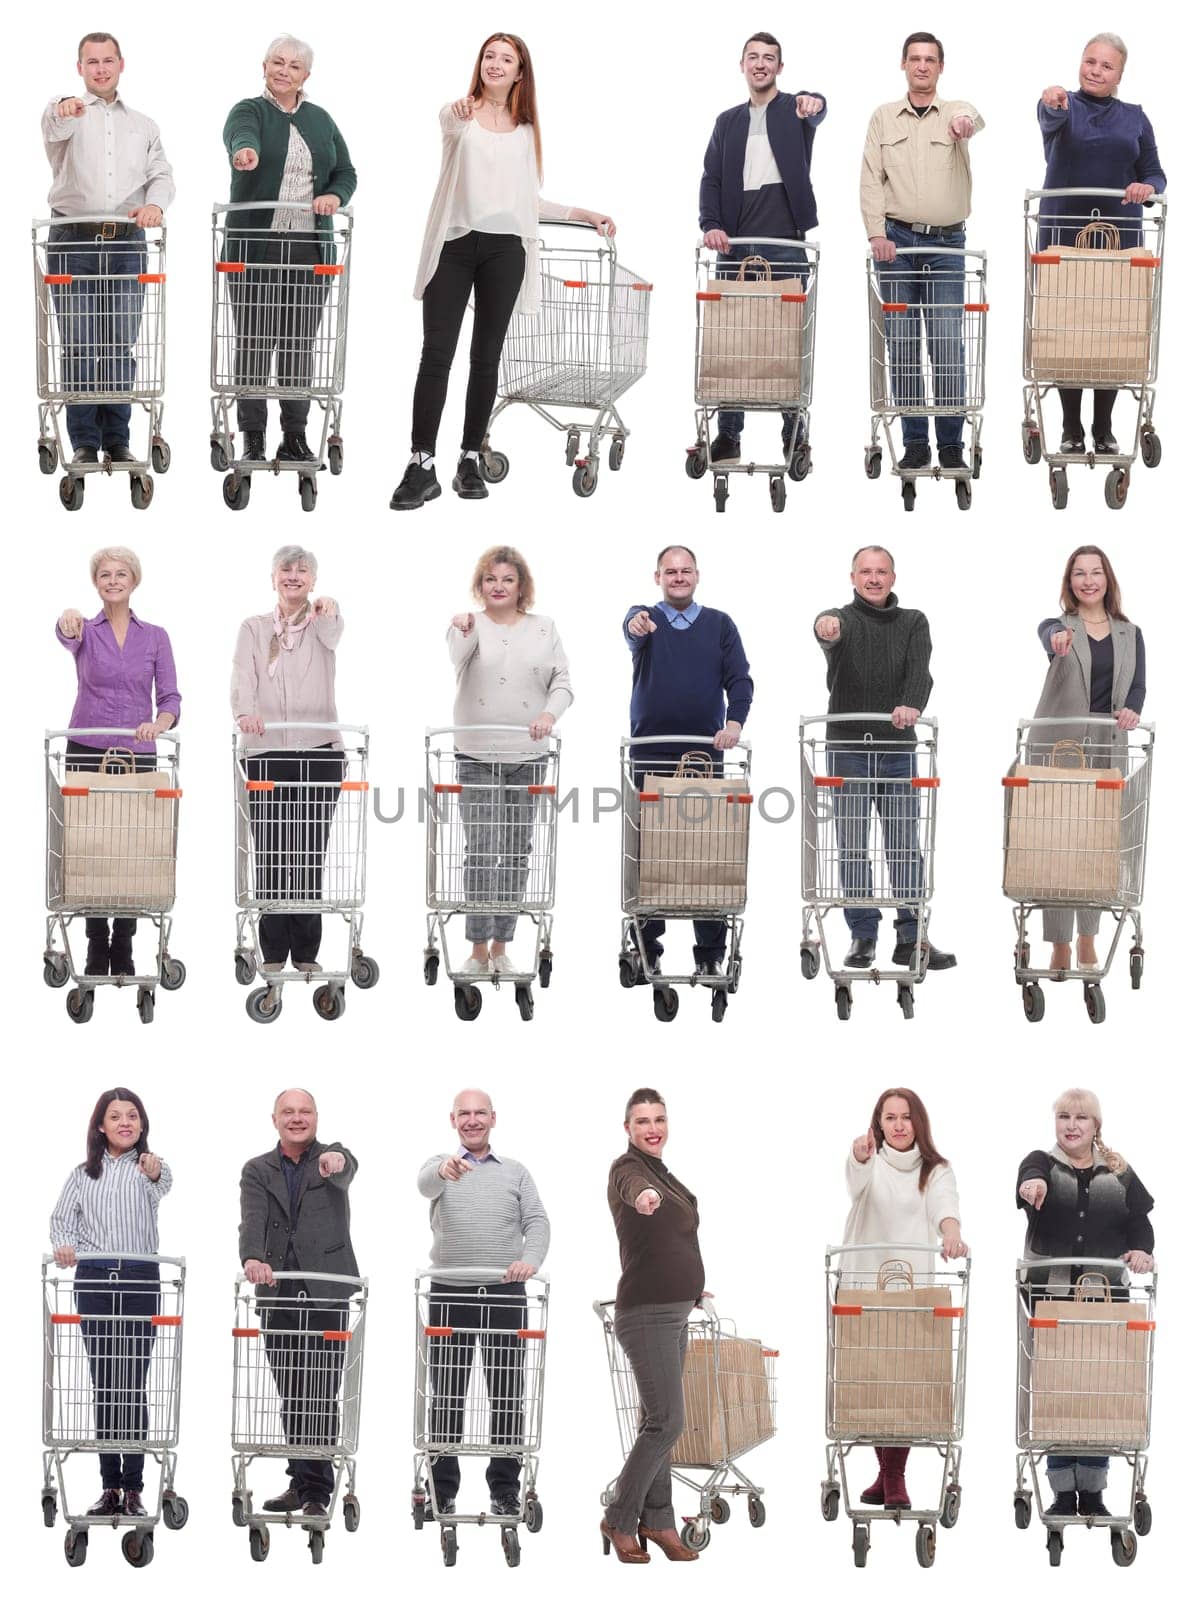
[[870, 836]]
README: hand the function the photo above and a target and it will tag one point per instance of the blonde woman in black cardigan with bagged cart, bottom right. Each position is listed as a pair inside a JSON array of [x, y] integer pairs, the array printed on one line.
[[1083, 1201]]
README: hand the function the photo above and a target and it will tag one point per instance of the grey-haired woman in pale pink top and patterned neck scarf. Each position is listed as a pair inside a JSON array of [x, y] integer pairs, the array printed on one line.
[[284, 673]]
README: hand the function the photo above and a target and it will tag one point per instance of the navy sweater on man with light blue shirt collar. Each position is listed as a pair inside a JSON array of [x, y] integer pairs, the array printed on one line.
[[683, 676]]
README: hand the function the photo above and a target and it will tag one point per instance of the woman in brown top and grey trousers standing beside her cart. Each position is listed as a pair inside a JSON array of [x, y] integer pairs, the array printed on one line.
[[662, 1282]]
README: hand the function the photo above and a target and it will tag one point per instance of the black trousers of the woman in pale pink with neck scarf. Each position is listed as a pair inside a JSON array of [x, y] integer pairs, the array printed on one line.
[[291, 826]]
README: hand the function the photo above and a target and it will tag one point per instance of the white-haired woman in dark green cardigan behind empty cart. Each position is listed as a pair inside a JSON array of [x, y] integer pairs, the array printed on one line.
[[289, 154]]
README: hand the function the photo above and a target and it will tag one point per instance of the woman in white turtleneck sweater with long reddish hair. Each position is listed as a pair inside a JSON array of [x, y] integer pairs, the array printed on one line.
[[904, 1193]]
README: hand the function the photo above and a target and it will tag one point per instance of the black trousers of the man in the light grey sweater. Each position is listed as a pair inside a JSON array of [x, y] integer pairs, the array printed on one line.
[[487, 1318]]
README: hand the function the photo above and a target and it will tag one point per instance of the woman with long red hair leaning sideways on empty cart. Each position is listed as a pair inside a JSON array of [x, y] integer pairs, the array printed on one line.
[[481, 241]]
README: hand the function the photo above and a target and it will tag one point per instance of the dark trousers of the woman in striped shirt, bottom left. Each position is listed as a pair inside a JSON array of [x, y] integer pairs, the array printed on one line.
[[119, 1356]]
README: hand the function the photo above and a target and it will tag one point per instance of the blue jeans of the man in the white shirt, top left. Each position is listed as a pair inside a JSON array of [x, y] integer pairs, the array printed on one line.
[[98, 319]]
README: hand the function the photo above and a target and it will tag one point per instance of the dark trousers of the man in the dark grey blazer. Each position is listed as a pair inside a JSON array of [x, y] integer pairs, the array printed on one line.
[[308, 1377]]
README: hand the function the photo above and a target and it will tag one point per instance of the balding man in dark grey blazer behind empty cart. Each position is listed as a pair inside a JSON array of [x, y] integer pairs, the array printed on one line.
[[295, 1218]]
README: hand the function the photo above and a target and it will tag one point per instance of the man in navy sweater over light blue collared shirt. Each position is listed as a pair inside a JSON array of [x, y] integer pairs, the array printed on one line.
[[689, 678]]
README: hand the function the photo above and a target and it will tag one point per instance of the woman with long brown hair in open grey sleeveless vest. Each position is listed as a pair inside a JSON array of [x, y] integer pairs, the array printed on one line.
[[1096, 665]]
